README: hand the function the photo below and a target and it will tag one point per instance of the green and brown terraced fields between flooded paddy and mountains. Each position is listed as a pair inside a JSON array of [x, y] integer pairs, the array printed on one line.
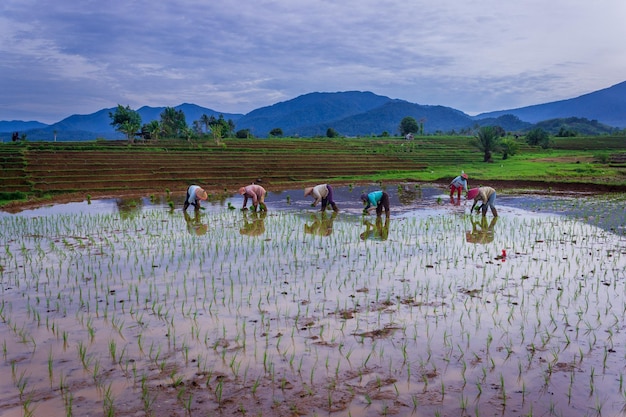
[[43, 170]]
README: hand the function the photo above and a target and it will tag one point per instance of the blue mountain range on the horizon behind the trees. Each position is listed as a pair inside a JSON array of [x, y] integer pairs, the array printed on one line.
[[350, 113]]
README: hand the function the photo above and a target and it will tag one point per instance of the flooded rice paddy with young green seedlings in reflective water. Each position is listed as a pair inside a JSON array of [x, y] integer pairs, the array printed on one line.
[[131, 308]]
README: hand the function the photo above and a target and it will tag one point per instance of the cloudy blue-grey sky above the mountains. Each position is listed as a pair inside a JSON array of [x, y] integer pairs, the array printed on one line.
[[65, 57]]
